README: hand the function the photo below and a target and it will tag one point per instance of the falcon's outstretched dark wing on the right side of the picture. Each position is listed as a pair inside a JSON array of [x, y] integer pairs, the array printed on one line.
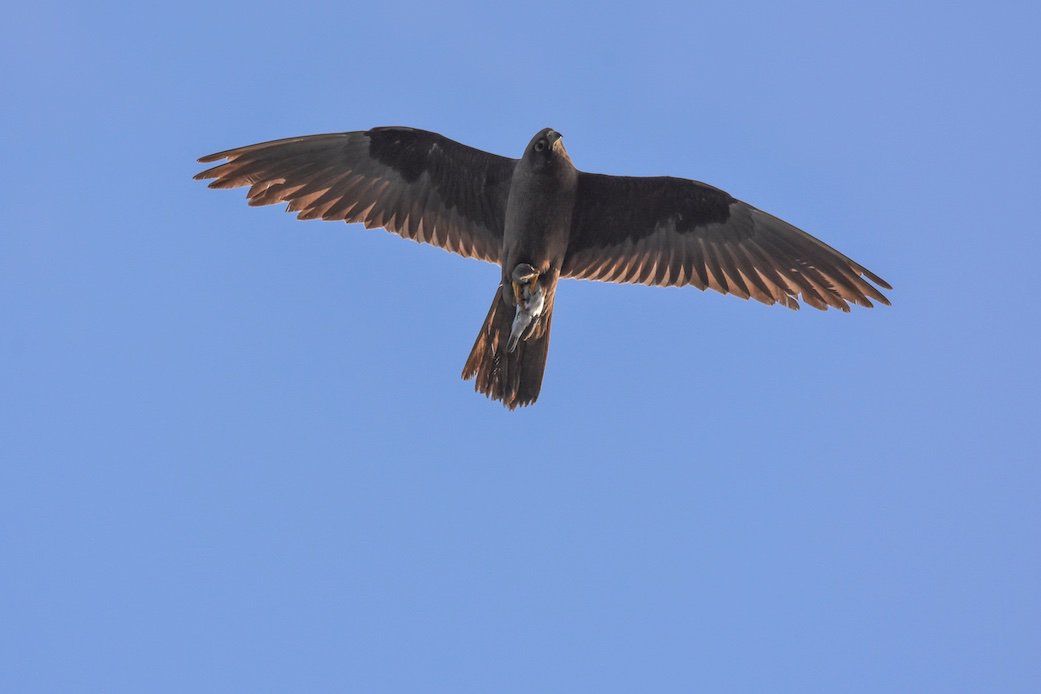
[[671, 233]]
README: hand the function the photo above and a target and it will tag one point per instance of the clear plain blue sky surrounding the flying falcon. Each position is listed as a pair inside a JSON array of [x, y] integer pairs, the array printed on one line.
[[238, 456]]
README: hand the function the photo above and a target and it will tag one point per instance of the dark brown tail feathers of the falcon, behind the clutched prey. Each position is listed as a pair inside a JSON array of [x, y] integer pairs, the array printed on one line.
[[515, 377]]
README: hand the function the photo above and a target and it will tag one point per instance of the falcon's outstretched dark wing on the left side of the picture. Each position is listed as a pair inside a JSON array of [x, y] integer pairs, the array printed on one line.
[[415, 184]]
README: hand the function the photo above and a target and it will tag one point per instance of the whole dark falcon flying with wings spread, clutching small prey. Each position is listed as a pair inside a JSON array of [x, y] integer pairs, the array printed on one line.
[[541, 219]]
